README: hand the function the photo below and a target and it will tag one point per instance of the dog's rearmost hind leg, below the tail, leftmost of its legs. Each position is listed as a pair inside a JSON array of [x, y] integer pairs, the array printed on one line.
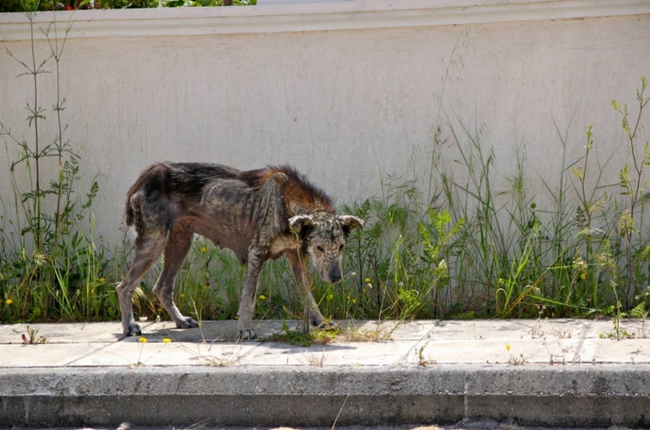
[[147, 252]]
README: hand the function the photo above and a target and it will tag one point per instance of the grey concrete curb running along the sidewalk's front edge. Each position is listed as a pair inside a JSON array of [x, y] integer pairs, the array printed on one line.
[[543, 396]]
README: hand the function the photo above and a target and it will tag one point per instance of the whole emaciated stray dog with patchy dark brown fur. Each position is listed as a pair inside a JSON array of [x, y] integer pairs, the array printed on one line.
[[258, 214]]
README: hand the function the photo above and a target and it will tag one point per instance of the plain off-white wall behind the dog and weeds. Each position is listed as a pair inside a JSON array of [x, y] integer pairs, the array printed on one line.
[[345, 91]]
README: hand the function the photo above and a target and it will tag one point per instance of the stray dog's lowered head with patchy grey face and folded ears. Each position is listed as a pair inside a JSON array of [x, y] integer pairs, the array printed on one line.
[[323, 236]]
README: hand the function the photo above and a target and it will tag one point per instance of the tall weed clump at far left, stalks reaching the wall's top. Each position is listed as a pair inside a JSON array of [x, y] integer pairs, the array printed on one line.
[[52, 266]]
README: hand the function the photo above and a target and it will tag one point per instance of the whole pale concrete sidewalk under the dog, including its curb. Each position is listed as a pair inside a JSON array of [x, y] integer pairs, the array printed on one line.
[[560, 373]]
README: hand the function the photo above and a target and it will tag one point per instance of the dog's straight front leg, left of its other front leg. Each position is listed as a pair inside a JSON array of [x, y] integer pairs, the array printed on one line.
[[256, 256]]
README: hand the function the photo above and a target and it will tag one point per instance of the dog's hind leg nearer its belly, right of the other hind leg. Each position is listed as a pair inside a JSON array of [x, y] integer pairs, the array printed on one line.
[[176, 249]]
